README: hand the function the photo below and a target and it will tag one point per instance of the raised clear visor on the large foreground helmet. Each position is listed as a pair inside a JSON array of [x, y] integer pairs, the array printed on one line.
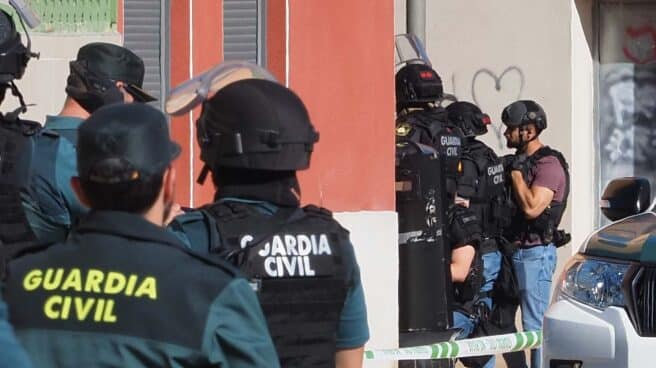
[[193, 92]]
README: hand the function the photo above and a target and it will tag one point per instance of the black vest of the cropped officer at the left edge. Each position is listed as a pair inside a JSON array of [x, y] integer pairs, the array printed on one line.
[[16, 147]]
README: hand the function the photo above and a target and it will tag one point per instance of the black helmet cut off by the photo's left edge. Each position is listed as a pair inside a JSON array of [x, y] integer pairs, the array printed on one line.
[[13, 54]]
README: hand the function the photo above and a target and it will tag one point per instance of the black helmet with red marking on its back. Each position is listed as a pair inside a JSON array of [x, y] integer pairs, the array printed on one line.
[[417, 85]]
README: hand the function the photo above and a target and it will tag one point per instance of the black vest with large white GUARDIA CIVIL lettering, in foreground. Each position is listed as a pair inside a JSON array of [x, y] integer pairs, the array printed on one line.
[[293, 260]]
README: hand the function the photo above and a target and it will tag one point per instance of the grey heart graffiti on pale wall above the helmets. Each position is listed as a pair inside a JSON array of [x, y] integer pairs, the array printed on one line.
[[504, 84]]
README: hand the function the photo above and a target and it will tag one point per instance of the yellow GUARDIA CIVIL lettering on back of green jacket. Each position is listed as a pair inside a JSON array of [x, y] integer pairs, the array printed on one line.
[[97, 304]]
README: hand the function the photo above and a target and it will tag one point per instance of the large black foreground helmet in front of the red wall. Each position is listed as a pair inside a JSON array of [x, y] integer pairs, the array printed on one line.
[[255, 124]]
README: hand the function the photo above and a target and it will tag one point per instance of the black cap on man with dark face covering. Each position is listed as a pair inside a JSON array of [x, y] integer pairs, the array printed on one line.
[[116, 63]]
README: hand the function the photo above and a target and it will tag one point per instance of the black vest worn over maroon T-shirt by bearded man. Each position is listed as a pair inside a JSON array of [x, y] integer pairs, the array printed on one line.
[[546, 225]]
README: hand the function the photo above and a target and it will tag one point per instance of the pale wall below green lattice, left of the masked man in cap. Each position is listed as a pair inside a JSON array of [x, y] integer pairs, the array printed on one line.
[[45, 79]]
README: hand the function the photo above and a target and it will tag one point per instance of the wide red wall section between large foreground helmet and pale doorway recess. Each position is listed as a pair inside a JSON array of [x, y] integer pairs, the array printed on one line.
[[342, 66]]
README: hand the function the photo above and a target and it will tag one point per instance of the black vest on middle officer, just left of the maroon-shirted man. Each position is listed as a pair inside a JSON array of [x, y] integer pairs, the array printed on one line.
[[487, 189]]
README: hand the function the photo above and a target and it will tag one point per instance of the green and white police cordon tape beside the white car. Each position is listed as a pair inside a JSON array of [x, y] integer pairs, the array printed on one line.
[[487, 345]]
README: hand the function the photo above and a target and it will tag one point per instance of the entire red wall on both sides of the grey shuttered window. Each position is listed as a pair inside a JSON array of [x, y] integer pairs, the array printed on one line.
[[341, 63]]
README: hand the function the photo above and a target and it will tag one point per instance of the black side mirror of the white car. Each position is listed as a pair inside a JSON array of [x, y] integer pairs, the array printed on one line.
[[625, 197]]
